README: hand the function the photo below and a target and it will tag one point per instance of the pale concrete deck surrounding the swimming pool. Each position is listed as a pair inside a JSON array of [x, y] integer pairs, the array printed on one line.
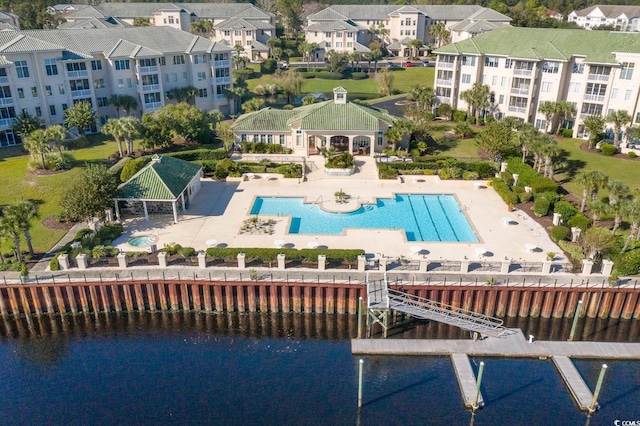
[[219, 209]]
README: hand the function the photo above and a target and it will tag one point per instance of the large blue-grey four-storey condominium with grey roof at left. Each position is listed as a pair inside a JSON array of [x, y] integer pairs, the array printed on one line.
[[43, 72]]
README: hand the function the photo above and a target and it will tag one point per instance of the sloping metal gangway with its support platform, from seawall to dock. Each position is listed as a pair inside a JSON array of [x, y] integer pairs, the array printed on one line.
[[381, 299]]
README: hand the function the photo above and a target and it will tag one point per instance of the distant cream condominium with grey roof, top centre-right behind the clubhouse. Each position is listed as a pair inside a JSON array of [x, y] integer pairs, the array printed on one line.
[[348, 28]]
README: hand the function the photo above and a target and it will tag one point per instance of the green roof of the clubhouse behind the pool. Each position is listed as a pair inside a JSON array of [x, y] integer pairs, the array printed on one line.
[[319, 116]]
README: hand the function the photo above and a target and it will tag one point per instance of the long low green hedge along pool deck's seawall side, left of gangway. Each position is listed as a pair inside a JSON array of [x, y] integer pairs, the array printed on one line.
[[271, 254]]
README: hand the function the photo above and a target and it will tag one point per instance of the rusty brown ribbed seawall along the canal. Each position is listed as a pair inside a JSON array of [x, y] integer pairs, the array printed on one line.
[[307, 297]]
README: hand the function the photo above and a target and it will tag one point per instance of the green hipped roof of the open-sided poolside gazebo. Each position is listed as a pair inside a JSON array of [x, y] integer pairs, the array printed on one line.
[[164, 178]]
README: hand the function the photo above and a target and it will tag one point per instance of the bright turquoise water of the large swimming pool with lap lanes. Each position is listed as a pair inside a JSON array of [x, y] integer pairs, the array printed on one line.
[[422, 217]]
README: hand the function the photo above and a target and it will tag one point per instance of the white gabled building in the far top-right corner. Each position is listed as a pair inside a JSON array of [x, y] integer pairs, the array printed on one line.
[[622, 18]]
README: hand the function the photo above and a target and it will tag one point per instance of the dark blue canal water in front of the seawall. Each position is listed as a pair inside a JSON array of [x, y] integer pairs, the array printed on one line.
[[253, 369]]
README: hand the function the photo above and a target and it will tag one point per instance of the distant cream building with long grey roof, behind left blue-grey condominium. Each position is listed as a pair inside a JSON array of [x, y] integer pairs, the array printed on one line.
[[237, 23]]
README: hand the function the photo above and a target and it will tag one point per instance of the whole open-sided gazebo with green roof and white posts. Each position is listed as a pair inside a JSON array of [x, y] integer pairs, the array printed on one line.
[[165, 185]]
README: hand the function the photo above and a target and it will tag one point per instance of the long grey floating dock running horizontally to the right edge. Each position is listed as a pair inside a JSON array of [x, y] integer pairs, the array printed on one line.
[[514, 345]]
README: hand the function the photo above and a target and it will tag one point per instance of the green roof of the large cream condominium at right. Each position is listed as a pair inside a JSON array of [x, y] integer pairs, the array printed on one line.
[[547, 43]]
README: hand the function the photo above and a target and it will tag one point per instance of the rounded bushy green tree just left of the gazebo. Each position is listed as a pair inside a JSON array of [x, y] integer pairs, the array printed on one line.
[[90, 195]]
